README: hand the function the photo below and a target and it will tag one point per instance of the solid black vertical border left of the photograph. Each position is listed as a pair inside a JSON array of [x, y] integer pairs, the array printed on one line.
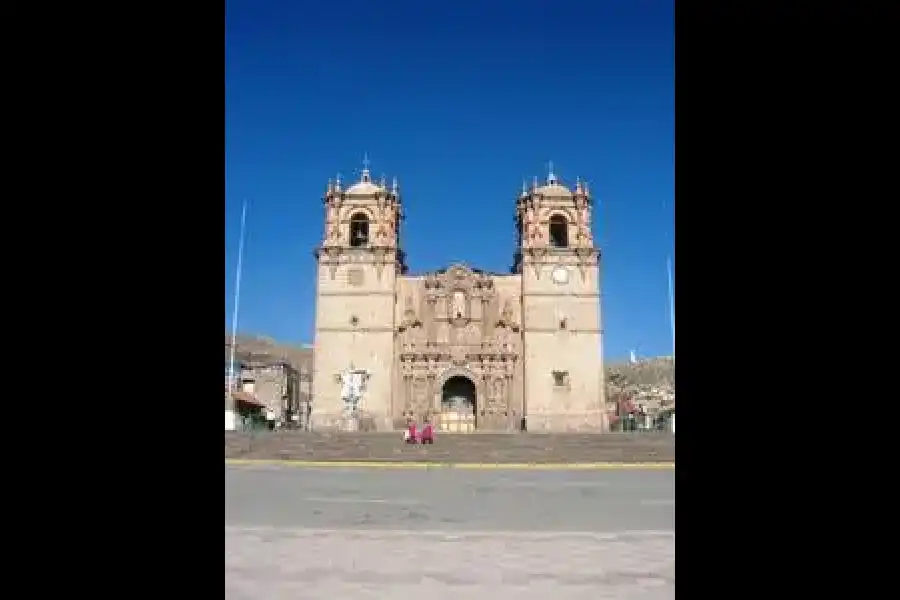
[[117, 154]]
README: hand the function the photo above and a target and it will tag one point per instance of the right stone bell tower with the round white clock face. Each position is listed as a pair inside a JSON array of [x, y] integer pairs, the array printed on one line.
[[562, 333]]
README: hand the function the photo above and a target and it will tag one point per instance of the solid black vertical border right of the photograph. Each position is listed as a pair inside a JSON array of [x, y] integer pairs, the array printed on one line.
[[771, 118]]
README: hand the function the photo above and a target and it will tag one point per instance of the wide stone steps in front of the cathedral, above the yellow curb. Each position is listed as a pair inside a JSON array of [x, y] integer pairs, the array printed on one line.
[[449, 448]]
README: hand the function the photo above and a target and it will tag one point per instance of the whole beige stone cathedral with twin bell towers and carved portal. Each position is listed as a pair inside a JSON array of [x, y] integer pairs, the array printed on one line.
[[466, 349]]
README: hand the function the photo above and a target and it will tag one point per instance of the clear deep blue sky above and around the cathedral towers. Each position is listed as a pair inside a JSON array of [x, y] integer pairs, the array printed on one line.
[[460, 101]]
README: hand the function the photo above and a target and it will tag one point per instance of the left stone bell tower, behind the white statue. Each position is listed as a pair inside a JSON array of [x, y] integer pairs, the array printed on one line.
[[359, 260]]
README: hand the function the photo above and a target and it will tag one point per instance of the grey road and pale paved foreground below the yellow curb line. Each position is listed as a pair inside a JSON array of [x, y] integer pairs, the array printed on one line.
[[370, 533]]
